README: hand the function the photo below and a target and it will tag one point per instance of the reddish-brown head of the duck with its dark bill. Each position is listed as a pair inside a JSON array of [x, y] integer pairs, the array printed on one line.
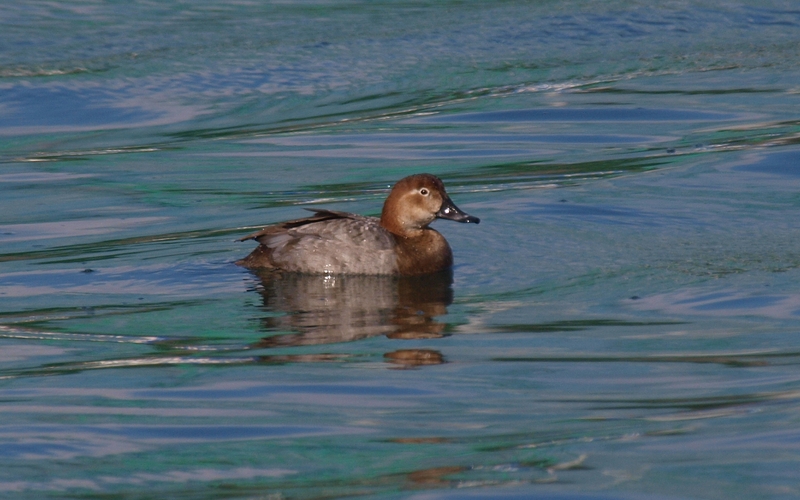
[[415, 201]]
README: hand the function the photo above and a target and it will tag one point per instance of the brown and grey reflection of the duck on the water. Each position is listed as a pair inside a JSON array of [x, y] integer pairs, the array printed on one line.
[[327, 309]]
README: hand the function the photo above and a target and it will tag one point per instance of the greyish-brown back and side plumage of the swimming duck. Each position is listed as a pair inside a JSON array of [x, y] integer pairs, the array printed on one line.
[[328, 242]]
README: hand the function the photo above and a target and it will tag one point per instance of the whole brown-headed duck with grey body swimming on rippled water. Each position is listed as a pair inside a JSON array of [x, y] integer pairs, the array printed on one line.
[[399, 242]]
